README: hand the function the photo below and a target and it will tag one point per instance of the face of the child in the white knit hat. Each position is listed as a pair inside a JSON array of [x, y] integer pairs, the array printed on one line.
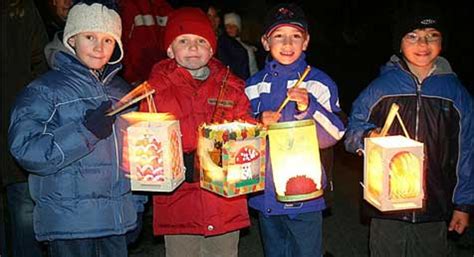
[[94, 49]]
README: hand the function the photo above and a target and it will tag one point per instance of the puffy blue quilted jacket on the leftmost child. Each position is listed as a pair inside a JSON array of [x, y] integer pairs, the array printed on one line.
[[75, 179]]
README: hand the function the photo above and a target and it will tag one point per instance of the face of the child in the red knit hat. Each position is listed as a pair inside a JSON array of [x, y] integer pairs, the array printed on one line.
[[190, 51]]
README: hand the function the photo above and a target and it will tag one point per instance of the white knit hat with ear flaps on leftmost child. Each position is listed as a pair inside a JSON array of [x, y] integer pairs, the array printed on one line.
[[94, 18]]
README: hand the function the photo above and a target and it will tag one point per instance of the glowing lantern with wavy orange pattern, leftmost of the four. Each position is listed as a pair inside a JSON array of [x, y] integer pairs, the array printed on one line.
[[152, 151]]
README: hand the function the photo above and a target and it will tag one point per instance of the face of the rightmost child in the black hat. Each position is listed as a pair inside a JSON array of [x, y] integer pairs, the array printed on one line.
[[421, 47]]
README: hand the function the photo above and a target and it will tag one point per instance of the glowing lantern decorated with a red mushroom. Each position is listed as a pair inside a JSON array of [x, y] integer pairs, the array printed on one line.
[[232, 158]]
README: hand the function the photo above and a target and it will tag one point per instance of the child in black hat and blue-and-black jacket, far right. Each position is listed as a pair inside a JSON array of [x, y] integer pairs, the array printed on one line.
[[437, 111]]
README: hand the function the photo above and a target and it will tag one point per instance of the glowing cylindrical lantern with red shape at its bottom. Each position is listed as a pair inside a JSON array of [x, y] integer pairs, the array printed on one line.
[[294, 154]]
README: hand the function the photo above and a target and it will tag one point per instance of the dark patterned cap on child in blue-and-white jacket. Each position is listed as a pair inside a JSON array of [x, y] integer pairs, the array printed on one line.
[[284, 14]]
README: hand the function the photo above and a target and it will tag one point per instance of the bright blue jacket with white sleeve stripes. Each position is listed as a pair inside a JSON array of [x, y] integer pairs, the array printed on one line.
[[266, 90]]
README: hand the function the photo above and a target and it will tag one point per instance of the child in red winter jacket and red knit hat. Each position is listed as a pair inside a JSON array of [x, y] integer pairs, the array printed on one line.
[[188, 85]]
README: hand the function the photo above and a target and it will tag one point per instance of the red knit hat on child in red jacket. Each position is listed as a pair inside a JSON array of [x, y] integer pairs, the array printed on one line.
[[189, 20]]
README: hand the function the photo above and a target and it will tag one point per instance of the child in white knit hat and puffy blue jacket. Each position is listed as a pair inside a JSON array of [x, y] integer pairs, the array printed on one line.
[[61, 134]]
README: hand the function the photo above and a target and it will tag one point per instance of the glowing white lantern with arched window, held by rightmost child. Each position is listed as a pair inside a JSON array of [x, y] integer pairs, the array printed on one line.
[[393, 173]]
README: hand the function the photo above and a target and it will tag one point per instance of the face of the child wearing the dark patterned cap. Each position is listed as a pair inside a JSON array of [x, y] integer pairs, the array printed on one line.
[[286, 44]]
